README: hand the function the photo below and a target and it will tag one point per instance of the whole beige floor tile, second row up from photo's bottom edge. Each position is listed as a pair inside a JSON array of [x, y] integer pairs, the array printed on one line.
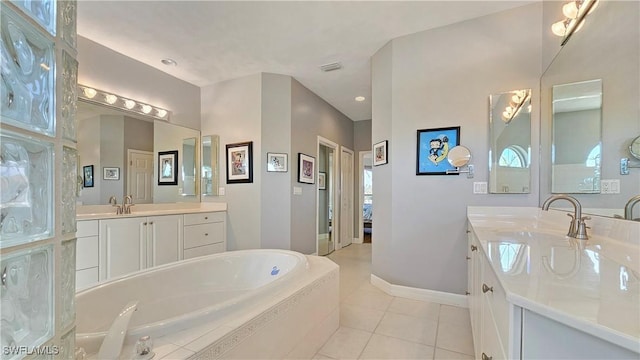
[[409, 328]]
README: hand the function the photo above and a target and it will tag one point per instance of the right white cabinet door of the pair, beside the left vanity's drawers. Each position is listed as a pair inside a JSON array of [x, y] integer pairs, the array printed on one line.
[[165, 239]]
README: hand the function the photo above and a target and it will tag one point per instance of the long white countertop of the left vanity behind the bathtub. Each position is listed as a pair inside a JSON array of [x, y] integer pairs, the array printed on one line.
[[98, 212]]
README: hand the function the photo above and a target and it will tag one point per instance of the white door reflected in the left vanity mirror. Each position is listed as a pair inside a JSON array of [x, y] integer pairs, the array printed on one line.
[[140, 176]]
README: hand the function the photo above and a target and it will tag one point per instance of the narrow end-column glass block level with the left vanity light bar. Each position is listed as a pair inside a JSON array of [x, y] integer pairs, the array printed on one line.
[[69, 96]]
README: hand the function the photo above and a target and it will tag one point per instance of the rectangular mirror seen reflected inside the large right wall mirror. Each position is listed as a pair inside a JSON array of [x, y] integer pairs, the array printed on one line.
[[576, 137]]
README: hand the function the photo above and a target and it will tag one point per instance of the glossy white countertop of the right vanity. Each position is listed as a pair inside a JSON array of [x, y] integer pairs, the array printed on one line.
[[593, 286]]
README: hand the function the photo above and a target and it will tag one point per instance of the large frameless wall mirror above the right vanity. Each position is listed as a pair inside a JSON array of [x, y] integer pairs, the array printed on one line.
[[606, 48]]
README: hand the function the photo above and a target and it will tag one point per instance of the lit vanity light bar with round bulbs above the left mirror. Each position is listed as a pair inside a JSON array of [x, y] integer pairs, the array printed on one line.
[[101, 97]]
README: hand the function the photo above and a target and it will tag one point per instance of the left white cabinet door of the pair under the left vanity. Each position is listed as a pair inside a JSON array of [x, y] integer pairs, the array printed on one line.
[[122, 246]]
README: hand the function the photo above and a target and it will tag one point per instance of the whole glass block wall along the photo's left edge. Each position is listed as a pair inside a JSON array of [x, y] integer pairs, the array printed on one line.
[[38, 179]]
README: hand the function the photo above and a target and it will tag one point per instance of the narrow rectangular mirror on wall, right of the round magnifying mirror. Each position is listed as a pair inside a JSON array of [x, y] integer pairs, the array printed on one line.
[[510, 142]]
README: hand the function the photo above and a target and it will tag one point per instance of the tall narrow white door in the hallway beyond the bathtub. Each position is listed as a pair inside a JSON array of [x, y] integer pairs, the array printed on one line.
[[346, 197]]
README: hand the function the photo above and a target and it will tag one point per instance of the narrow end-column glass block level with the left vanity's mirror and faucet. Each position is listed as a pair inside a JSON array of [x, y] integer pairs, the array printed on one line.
[[69, 189]]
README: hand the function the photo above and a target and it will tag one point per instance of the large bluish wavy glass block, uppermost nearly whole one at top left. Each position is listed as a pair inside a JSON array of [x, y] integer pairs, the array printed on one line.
[[28, 70]]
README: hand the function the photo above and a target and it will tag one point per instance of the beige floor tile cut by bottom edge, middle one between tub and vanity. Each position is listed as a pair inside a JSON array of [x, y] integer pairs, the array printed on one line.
[[384, 347]]
